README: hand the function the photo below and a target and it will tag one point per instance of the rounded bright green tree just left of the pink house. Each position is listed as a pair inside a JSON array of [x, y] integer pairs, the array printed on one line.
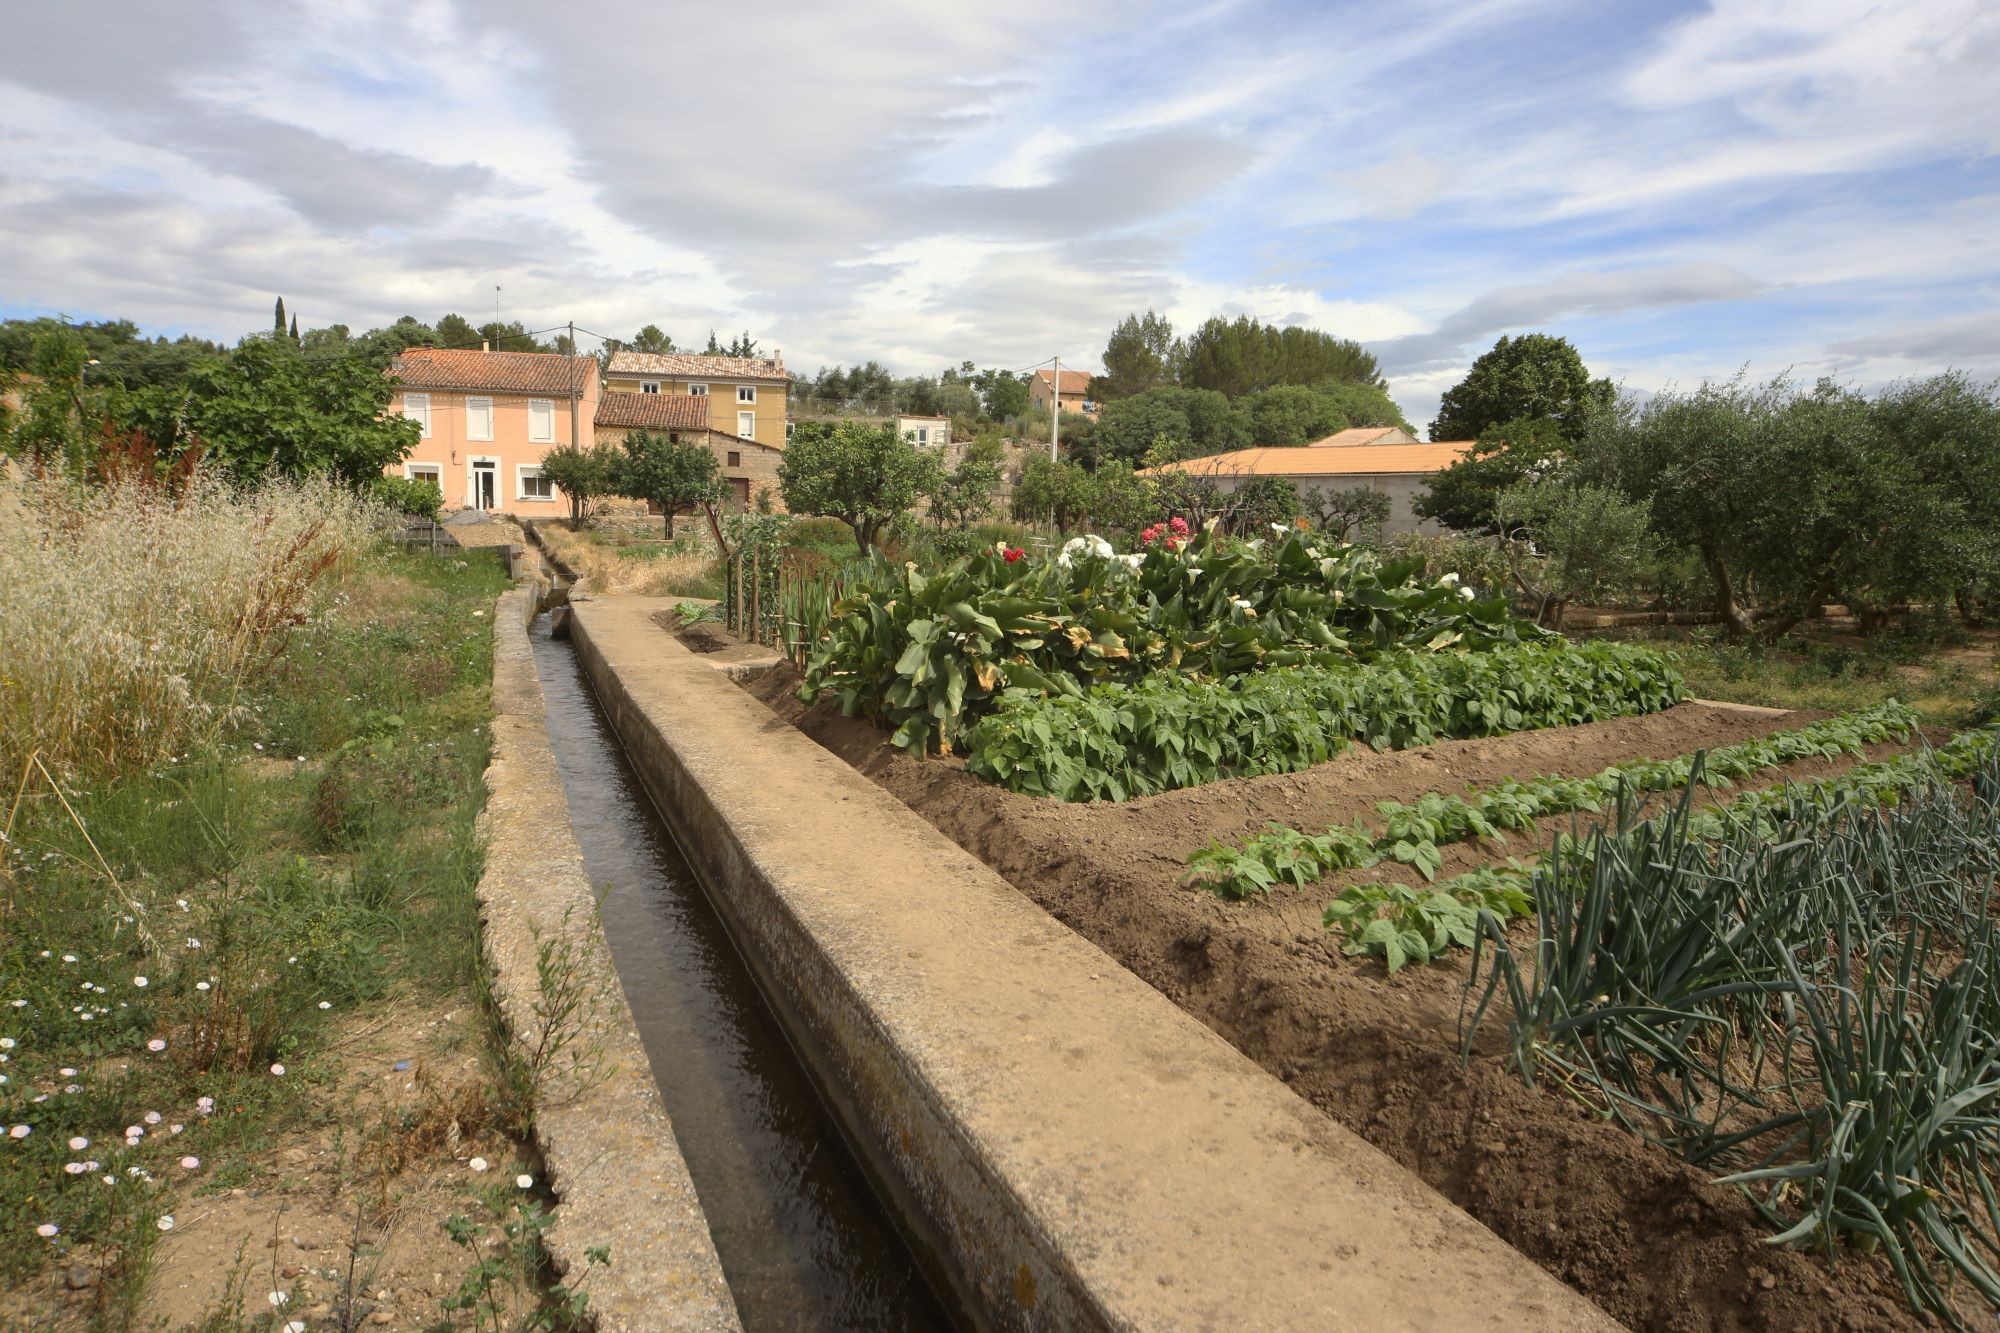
[[269, 409]]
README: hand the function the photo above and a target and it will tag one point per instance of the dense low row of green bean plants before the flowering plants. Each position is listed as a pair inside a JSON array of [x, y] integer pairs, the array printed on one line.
[[1169, 732]]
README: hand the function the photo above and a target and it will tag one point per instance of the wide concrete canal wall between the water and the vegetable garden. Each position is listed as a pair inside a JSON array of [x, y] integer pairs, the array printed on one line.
[[1069, 1148]]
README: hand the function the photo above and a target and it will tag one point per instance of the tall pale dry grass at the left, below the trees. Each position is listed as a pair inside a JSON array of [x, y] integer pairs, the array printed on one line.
[[133, 617]]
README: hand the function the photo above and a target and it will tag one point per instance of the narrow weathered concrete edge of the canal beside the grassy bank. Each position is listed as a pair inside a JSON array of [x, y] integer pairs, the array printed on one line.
[[609, 1146]]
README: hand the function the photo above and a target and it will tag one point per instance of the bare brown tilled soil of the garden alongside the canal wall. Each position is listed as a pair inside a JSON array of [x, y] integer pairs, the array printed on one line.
[[1639, 1232]]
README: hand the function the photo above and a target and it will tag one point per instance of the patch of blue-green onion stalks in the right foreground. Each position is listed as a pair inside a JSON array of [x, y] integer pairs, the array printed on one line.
[[1805, 1002]]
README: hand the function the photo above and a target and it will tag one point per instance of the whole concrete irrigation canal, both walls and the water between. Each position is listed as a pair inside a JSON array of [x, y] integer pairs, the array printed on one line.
[[863, 1082]]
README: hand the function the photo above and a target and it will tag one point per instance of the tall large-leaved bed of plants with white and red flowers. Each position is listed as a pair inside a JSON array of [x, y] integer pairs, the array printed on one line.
[[931, 653]]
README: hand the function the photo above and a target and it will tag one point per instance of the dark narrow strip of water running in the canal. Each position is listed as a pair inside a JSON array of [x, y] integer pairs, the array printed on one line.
[[803, 1240]]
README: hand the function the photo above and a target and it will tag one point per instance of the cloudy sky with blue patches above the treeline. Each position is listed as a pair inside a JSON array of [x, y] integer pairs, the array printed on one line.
[[1685, 191]]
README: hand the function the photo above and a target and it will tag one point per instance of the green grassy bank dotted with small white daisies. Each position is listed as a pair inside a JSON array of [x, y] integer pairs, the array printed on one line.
[[181, 946]]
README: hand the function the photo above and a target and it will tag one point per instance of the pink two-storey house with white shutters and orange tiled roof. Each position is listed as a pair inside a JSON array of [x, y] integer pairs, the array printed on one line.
[[489, 421]]
